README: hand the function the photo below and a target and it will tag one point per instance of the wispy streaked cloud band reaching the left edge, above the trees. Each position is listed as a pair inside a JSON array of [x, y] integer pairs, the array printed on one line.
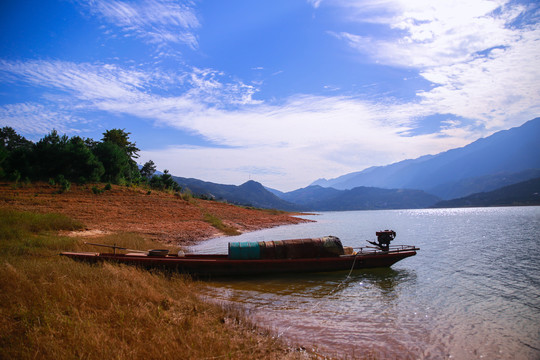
[[105, 83]]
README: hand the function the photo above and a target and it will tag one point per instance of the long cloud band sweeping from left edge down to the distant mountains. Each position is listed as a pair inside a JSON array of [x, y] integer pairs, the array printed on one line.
[[305, 137]]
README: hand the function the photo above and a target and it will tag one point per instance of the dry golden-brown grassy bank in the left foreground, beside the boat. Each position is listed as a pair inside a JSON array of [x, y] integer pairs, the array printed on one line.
[[55, 308]]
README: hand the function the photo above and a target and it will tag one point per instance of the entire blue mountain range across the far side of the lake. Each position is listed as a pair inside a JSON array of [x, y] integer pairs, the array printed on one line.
[[502, 159]]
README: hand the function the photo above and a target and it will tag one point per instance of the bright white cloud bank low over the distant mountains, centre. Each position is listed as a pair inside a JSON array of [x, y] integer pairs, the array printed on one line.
[[306, 138]]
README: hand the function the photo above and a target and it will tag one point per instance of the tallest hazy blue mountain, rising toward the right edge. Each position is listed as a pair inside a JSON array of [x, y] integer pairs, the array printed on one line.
[[506, 152]]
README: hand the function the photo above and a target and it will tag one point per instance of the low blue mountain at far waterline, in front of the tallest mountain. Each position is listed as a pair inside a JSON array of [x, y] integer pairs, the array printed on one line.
[[317, 198]]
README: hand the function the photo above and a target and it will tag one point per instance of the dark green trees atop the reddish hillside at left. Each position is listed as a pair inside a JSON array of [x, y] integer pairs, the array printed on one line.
[[60, 158]]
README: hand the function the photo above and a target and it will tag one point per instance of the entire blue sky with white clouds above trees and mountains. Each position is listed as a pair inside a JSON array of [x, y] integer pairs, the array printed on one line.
[[282, 92]]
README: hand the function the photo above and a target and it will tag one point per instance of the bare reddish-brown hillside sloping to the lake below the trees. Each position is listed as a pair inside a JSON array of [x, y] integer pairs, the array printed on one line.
[[153, 214]]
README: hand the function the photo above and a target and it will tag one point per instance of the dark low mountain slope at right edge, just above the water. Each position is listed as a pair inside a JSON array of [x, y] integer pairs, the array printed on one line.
[[523, 193]]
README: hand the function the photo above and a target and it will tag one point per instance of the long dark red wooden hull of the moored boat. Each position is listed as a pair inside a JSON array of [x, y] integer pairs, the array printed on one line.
[[221, 265]]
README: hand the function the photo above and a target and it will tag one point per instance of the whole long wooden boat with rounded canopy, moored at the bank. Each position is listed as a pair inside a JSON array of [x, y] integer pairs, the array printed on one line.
[[296, 257]]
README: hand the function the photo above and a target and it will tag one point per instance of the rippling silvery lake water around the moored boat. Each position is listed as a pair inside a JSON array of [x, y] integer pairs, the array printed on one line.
[[471, 292]]
